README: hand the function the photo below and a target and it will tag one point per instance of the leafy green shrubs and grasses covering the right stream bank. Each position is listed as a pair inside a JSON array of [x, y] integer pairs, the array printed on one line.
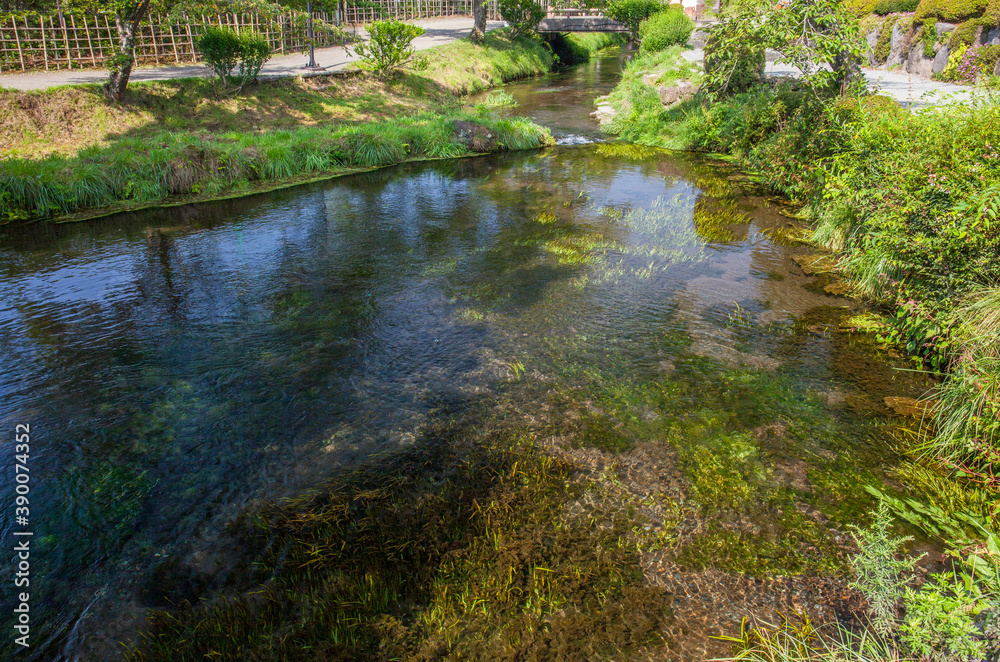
[[909, 202]]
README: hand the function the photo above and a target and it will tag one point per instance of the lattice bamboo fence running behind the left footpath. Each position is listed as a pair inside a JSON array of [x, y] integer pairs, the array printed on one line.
[[75, 41]]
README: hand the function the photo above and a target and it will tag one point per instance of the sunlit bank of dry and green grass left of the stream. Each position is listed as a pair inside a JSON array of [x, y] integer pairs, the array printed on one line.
[[186, 139]]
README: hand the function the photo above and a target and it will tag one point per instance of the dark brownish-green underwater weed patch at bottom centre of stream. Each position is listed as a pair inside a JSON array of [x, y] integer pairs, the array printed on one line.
[[459, 550]]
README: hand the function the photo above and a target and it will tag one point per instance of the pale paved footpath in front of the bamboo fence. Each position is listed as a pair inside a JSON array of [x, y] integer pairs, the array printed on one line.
[[438, 31]]
